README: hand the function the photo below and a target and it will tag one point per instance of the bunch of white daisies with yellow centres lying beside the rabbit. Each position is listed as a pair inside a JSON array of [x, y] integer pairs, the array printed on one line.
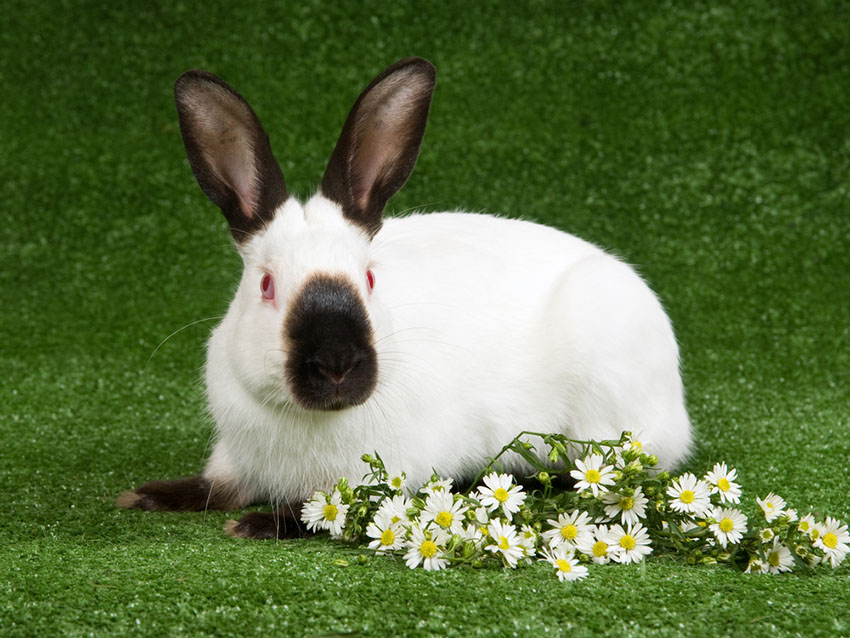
[[619, 509]]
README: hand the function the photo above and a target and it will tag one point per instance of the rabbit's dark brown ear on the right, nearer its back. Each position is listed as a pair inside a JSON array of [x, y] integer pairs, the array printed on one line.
[[380, 141]]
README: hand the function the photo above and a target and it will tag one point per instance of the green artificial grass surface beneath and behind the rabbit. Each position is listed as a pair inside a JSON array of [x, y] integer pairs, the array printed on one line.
[[709, 144]]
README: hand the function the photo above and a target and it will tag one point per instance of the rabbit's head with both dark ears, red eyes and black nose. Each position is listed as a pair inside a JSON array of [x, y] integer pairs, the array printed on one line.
[[300, 328]]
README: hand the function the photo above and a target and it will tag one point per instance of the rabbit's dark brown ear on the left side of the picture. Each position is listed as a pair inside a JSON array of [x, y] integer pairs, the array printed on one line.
[[229, 152]]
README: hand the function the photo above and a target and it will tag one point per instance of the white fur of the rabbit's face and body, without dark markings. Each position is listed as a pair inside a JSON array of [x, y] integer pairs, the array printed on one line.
[[483, 326]]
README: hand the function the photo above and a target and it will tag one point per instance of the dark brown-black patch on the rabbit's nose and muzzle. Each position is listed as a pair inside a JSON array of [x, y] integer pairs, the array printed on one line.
[[332, 362]]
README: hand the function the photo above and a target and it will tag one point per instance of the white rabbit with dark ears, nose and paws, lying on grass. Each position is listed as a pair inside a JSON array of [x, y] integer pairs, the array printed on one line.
[[431, 339]]
